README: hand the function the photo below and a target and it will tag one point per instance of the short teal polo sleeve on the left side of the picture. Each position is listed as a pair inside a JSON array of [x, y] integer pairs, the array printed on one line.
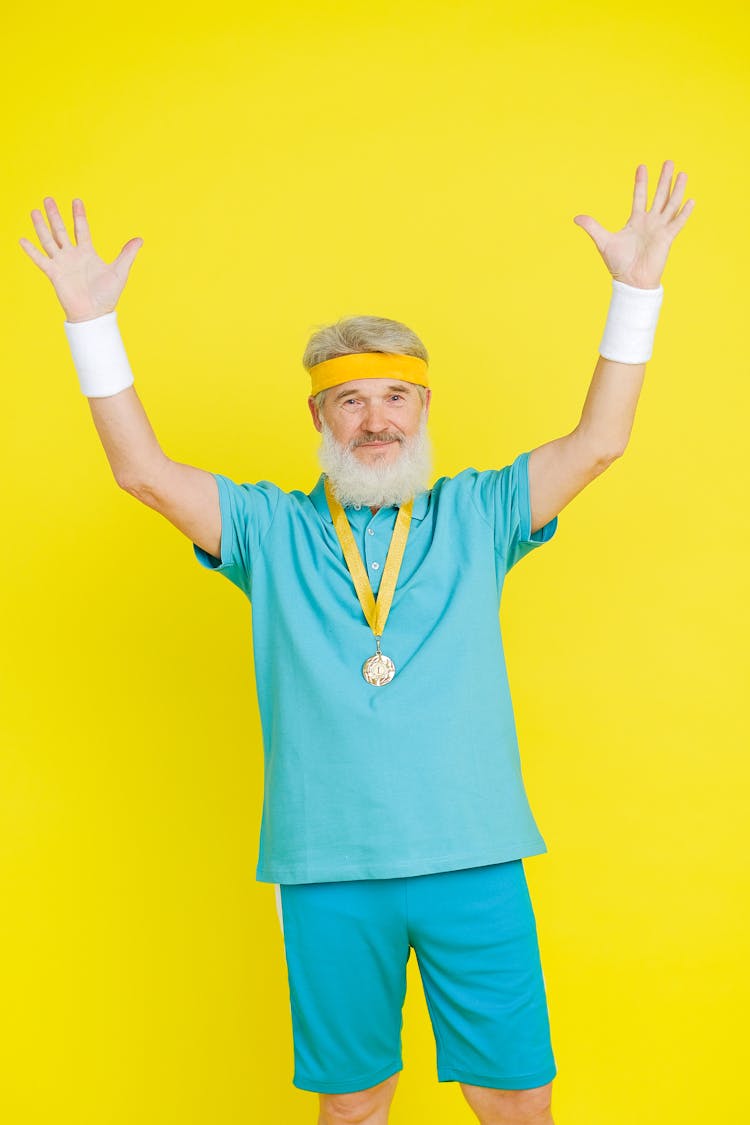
[[248, 512]]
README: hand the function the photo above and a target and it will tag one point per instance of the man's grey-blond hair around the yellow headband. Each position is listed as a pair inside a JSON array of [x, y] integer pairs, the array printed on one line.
[[353, 335]]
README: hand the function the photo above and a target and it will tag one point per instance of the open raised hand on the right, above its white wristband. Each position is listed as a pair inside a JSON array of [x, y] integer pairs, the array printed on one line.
[[637, 255]]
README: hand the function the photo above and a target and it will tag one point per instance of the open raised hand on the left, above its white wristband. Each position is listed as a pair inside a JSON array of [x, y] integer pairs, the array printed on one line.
[[87, 287]]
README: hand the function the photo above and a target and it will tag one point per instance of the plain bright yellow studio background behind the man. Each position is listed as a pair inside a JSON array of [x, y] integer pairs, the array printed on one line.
[[421, 161]]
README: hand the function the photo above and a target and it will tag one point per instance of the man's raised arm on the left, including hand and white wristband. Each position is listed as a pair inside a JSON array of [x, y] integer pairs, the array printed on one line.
[[89, 290]]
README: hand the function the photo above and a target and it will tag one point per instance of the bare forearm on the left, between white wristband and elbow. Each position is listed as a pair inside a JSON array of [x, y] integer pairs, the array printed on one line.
[[130, 443]]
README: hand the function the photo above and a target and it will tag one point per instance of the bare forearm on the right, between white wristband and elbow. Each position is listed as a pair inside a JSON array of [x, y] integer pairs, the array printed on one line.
[[609, 412]]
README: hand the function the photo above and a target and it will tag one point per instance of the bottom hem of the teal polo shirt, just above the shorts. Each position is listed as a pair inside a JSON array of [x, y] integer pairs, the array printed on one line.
[[345, 872]]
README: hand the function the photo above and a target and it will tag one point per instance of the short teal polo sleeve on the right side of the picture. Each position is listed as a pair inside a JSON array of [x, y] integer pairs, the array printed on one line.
[[505, 500]]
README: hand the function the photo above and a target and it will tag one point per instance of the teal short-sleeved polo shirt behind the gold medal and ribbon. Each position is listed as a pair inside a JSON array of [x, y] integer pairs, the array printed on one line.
[[422, 775]]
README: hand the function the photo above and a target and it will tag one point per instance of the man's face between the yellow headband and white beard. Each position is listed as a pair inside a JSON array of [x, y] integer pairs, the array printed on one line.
[[372, 417]]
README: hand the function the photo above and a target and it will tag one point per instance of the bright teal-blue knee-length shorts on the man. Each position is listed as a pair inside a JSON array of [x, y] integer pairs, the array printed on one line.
[[475, 938]]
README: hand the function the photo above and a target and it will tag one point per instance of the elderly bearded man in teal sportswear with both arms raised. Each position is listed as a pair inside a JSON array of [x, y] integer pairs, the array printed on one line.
[[395, 815]]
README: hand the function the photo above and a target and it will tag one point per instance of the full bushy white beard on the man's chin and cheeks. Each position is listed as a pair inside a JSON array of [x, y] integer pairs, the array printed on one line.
[[381, 484]]
